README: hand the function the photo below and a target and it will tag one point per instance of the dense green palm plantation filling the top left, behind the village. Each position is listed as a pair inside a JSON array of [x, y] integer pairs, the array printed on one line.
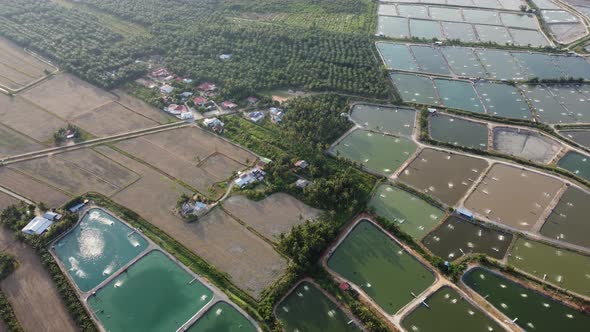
[[190, 37]]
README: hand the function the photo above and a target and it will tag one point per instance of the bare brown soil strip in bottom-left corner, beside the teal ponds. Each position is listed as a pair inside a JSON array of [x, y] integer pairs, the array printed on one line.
[[31, 292]]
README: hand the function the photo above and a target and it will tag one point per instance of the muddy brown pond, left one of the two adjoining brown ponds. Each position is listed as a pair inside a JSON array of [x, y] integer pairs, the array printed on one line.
[[446, 176]]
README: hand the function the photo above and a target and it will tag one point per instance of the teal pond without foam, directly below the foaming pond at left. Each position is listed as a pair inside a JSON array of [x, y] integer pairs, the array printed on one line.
[[154, 294]]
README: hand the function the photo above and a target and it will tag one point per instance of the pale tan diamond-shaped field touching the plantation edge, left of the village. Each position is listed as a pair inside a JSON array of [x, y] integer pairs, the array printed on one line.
[[67, 96]]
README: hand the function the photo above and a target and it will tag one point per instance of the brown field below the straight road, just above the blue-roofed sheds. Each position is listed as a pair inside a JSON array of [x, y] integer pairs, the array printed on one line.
[[78, 172]]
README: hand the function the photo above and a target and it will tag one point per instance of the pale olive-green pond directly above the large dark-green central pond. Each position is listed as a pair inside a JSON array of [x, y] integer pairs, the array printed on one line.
[[411, 214]]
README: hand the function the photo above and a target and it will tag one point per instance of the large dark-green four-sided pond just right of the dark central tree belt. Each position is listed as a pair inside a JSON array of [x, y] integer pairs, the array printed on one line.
[[374, 262]]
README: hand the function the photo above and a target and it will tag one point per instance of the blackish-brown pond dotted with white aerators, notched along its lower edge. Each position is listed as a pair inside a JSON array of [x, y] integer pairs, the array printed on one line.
[[457, 237]]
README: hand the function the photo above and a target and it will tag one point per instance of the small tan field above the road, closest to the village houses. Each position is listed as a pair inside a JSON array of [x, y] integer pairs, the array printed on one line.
[[112, 119]]
